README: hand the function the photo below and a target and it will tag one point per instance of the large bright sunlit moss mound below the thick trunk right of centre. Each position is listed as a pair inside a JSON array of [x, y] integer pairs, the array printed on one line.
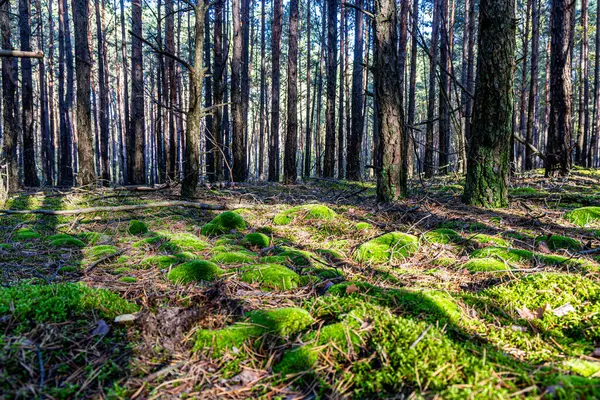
[[393, 245]]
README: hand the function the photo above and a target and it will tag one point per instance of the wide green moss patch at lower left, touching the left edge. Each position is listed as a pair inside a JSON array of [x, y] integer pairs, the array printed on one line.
[[60, 302]]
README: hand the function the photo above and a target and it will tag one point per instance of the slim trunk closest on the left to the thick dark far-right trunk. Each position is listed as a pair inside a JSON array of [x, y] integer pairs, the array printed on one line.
[[533, 85]]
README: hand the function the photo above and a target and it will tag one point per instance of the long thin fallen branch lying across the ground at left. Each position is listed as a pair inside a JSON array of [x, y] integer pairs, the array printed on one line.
[[201, 206]]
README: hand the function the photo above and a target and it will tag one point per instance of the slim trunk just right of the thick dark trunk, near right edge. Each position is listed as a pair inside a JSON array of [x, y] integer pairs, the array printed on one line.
[[584, 114]]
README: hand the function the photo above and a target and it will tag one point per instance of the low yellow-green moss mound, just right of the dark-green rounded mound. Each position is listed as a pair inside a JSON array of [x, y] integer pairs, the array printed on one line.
[[271, 276]]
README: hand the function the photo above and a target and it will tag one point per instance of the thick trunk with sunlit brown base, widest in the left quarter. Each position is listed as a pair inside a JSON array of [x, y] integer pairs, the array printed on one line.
[[85, 144]]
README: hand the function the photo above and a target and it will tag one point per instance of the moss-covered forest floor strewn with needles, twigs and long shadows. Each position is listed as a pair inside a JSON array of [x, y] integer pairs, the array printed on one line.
[[310, 291]]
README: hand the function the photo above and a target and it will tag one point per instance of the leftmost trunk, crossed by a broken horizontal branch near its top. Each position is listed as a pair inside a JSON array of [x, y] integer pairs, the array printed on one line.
[[9, 93]]
